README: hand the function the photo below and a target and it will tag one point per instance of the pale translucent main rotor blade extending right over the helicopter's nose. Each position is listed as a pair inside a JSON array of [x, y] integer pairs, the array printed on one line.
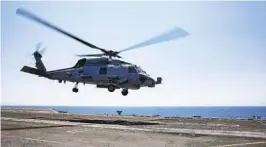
[[167, 36]]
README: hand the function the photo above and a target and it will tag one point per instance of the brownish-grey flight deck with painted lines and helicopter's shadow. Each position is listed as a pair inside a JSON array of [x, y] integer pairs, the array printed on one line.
[[39, 127]]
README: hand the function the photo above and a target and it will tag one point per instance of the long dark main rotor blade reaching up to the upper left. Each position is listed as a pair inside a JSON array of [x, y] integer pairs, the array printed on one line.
[[33, 17]]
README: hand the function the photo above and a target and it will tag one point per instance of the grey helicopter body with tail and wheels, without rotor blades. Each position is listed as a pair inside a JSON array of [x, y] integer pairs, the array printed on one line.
[[102, 72]]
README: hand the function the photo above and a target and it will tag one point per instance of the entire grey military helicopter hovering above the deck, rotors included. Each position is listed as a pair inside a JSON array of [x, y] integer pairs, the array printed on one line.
[[105, 69]]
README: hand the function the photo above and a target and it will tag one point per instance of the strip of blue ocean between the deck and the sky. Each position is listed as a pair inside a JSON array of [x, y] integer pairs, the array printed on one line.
[[184, 111]]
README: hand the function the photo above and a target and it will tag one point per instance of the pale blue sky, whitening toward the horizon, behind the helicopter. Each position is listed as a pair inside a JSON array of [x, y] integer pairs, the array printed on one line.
[[221, 63]]
